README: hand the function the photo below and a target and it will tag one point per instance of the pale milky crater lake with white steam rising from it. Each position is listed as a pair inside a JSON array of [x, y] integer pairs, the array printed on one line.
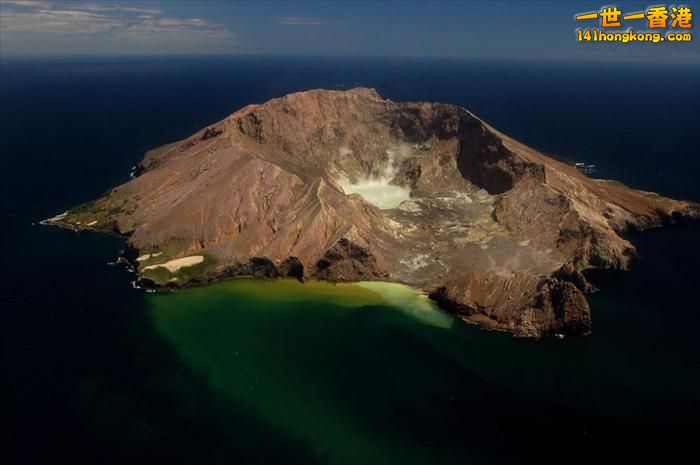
[[378, 190]]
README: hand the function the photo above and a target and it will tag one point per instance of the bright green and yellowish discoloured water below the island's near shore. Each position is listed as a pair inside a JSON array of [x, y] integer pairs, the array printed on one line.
[[308, 358]]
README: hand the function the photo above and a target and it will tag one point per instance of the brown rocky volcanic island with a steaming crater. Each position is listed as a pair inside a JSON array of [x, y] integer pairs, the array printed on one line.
[[494, 230]]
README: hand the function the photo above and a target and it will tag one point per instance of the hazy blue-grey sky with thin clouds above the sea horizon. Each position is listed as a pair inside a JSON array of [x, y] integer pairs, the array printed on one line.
[[494, 29]]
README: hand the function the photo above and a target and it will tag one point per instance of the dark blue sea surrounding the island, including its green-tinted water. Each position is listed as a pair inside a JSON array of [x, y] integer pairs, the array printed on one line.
[[244, 371]]
